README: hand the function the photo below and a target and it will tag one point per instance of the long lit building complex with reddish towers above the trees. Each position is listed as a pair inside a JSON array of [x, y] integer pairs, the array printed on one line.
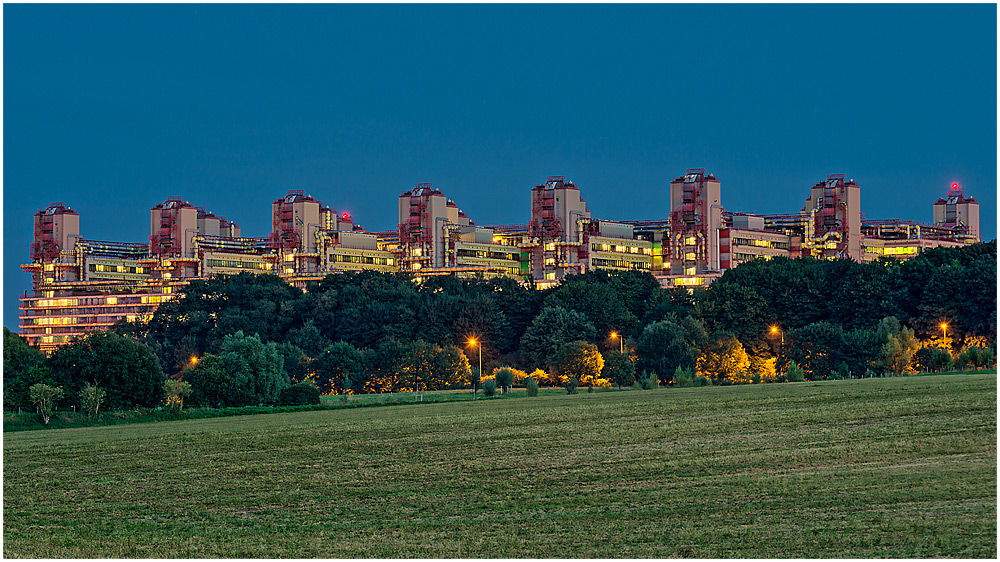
[[80, 284]]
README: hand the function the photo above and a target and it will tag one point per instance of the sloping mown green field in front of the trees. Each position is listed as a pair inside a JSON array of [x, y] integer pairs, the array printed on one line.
[[901, 467]]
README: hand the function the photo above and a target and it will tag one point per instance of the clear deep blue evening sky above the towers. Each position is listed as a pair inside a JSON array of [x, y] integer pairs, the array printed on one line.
[[113, 108]]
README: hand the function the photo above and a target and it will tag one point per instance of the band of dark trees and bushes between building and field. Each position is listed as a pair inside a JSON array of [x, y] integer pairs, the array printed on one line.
[[246, 339]]
